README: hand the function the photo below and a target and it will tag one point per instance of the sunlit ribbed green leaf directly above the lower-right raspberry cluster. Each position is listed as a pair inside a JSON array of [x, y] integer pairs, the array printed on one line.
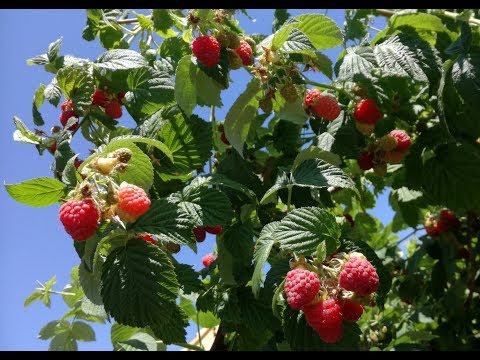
[[303, 229]]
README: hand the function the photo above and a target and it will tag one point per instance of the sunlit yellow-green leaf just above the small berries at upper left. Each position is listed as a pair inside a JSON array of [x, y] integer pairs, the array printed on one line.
[[78, 84]]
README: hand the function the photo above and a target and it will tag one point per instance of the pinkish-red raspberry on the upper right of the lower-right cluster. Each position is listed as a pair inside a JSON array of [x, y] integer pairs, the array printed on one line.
[[359, 276]]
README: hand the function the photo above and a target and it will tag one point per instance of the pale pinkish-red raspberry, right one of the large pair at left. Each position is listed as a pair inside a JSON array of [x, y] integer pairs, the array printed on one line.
[[132, 202]]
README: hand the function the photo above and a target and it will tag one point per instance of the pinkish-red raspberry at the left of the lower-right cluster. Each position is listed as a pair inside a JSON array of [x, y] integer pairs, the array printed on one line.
[[301, 287]]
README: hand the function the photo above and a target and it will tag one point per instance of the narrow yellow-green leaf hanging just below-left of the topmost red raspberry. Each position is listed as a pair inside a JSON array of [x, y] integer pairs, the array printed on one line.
[[185, 85]]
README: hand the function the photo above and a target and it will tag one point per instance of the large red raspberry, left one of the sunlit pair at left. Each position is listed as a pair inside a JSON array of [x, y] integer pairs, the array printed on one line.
[[79, 218]]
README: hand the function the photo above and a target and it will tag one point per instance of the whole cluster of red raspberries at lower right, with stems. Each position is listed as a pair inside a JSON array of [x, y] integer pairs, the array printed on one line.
[[337, 294]]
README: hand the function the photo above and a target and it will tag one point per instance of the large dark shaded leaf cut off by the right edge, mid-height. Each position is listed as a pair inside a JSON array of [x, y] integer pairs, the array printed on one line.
[[450, 177]]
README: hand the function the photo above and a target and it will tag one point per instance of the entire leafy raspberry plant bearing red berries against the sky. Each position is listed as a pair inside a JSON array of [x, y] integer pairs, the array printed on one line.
[[284, 181]]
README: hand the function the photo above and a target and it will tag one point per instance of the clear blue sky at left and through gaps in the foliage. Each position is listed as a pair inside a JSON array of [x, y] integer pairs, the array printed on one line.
[[33, 243]]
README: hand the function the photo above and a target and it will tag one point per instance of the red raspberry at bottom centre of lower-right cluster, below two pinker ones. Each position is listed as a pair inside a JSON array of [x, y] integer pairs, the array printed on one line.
[[324, 314]]
